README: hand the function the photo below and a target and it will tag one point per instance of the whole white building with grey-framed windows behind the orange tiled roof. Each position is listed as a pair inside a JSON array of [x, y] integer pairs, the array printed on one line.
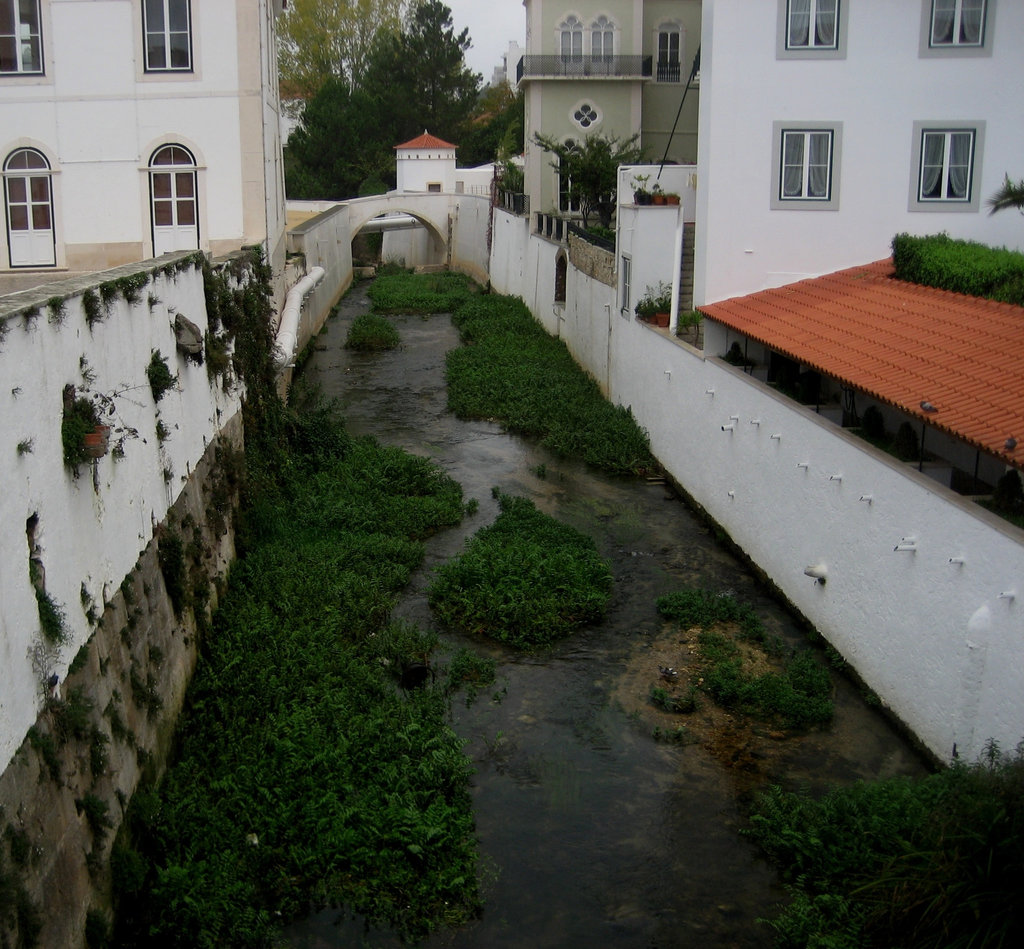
[[828, 127]]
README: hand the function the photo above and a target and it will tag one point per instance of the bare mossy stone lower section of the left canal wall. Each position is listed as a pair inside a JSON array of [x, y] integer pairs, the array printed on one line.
[[113, 721]]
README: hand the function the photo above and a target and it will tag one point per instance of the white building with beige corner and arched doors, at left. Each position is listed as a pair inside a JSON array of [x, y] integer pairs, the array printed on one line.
[[130, 128]]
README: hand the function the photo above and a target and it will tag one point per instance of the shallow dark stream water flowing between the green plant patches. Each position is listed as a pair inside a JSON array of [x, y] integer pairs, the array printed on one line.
[[594, 830]]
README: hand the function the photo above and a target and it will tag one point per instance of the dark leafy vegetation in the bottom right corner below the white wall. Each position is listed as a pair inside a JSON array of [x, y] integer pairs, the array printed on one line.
[[931, 865]]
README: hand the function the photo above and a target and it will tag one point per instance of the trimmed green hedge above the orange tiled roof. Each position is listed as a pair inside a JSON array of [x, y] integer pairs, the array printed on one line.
[[964, 267]]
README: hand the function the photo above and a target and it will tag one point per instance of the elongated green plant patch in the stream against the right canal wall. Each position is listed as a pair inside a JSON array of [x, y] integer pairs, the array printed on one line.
[[510, 369]]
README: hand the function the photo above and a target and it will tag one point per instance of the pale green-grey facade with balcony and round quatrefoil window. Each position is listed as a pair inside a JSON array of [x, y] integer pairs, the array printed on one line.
[[616, 69]]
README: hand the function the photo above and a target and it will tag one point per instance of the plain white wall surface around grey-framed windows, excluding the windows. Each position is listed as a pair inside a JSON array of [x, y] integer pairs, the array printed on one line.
[[878, 92]]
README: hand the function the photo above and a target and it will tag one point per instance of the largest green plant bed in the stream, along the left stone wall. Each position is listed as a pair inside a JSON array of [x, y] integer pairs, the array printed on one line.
[[307, 777]]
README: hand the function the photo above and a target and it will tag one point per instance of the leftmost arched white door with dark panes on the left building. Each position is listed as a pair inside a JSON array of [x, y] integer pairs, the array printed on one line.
[[29, 195]]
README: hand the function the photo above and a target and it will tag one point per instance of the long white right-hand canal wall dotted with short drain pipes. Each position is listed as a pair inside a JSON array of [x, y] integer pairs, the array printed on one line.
[[935, 640]]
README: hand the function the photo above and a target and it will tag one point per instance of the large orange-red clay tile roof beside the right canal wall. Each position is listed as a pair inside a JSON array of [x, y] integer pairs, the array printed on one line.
[[903, 344]]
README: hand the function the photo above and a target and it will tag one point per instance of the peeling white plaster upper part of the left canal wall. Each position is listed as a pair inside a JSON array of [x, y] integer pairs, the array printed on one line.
[[92, 529]]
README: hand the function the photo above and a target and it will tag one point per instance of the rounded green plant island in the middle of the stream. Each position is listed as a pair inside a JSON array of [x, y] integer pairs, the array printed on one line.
[[527, 580]]
